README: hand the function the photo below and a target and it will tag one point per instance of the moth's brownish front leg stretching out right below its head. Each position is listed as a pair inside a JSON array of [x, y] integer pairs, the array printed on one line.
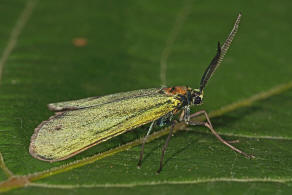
[[208, 124]]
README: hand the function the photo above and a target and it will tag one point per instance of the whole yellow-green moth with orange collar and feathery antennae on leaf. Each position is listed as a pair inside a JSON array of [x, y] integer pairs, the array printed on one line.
[[81, 124]]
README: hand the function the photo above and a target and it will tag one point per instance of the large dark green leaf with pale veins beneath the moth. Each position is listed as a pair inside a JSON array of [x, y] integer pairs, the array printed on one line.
[[63, 50]]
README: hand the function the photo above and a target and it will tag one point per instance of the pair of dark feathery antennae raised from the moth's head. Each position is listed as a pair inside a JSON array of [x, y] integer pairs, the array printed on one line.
[[221, 51]]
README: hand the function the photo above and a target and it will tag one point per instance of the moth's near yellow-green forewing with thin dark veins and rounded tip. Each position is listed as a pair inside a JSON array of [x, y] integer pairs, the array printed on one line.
[[70, 132]]
